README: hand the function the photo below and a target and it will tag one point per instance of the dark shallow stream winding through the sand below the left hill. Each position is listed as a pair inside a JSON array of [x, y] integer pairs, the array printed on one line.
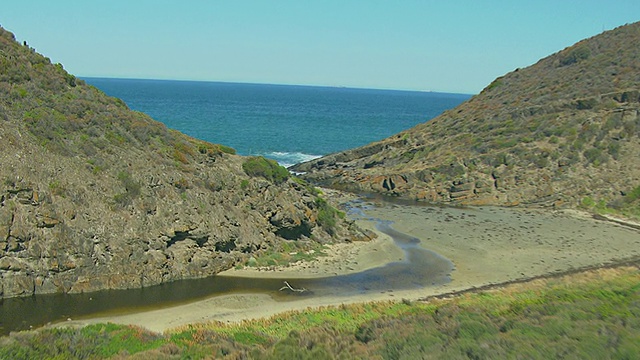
[[419, 268]]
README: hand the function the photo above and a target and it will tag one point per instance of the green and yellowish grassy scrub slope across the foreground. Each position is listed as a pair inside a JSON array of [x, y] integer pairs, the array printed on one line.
[[594, 315]]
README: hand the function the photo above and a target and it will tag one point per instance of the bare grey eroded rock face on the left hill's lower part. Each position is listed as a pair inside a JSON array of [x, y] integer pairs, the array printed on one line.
[[83, 240]]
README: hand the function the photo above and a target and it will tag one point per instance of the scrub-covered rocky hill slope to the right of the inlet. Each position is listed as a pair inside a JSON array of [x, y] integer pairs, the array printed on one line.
[[561, 132]]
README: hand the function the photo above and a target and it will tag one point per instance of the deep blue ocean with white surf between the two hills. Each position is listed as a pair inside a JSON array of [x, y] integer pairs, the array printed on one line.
[[287, 123]]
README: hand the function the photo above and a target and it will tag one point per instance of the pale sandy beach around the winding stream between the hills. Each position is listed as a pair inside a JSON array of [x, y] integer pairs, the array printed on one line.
[[488, 245]]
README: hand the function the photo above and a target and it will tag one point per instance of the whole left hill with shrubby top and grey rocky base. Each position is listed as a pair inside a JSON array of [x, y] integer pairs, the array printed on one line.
[[95, 196]]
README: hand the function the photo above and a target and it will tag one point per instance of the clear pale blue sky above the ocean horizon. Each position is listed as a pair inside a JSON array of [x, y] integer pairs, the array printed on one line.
[[451, 46]]
